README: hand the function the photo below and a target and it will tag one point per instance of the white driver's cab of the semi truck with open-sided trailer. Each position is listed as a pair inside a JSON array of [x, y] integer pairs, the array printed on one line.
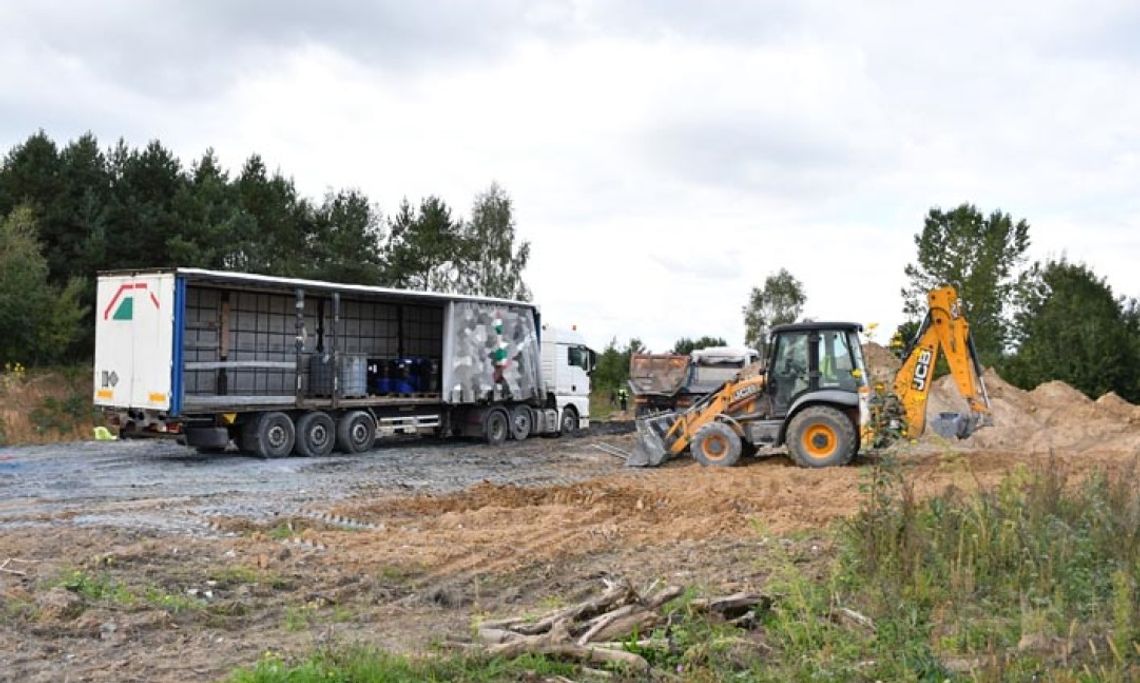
[[567, 364]]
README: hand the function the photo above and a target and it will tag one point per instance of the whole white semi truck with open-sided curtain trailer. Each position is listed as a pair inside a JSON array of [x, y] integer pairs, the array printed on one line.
[[281, 367]]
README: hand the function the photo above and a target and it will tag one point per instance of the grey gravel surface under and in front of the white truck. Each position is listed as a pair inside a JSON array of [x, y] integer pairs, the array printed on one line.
[[159, 485]]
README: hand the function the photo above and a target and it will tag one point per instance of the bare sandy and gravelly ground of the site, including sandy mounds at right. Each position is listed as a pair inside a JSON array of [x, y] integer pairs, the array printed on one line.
[[144, 562]]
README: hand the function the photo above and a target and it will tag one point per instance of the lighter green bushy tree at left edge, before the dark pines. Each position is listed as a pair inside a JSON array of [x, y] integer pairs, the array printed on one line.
[[39, 320]]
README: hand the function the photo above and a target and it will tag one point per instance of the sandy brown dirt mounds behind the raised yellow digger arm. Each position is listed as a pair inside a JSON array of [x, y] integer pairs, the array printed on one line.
[[1053, 417]]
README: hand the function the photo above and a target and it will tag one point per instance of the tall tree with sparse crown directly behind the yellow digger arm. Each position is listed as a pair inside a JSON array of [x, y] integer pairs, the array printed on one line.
[[983, 256]]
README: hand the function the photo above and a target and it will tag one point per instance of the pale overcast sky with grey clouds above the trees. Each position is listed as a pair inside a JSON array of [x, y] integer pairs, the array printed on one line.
[[663, 157]]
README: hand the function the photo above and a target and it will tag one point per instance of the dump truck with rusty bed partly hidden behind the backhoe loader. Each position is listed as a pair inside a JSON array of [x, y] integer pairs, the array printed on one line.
[[665, 383]]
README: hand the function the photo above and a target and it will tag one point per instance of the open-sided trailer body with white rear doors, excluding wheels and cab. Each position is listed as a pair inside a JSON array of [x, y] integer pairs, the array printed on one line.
[[245, 345]]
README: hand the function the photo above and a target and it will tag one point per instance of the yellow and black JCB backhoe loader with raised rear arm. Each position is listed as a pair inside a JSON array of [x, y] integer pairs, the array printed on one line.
[[815, 399]]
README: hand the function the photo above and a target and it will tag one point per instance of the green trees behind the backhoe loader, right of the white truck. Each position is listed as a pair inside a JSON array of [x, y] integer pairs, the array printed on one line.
[[1051, 320]]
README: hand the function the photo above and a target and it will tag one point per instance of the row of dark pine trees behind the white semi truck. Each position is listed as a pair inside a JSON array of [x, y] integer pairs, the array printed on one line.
[[68, 213]]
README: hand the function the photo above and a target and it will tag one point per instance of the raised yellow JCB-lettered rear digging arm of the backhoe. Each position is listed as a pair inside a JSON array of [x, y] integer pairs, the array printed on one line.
[[947, 330]]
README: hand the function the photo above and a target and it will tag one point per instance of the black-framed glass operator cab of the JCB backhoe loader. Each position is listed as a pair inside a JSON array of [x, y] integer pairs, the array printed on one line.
[[816, 361]]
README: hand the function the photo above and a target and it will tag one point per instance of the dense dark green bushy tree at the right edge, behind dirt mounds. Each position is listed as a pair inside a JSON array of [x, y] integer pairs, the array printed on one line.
[[1073, 329]]
